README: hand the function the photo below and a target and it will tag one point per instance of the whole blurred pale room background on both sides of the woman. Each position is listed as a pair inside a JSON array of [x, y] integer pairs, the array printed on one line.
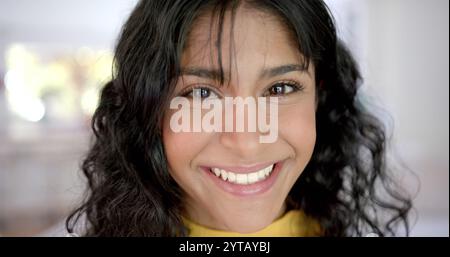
[[56, 55]]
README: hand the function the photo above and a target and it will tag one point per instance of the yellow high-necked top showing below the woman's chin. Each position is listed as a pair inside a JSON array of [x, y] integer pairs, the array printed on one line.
[[292, 224]]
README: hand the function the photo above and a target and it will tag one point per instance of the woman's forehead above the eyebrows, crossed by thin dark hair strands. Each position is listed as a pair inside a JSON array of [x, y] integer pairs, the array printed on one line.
[[250, 35]]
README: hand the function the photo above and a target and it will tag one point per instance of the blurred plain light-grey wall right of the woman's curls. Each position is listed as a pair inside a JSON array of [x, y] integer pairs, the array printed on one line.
[[407, 58]]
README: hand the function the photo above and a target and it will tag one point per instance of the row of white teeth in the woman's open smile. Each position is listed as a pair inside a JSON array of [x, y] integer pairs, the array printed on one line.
[[243, 179]]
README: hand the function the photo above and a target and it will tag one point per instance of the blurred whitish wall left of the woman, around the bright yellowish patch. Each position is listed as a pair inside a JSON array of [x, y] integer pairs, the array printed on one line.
[[39, 161]]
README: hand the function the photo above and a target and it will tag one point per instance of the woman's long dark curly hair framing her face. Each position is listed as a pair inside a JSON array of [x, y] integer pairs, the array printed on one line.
[[347, 186]]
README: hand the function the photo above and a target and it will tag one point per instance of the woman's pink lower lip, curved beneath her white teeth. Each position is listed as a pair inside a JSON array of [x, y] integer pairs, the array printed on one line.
[[247, 190]]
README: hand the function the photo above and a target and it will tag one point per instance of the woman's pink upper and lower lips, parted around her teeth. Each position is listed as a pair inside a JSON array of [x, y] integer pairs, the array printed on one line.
[[249, 189]]
